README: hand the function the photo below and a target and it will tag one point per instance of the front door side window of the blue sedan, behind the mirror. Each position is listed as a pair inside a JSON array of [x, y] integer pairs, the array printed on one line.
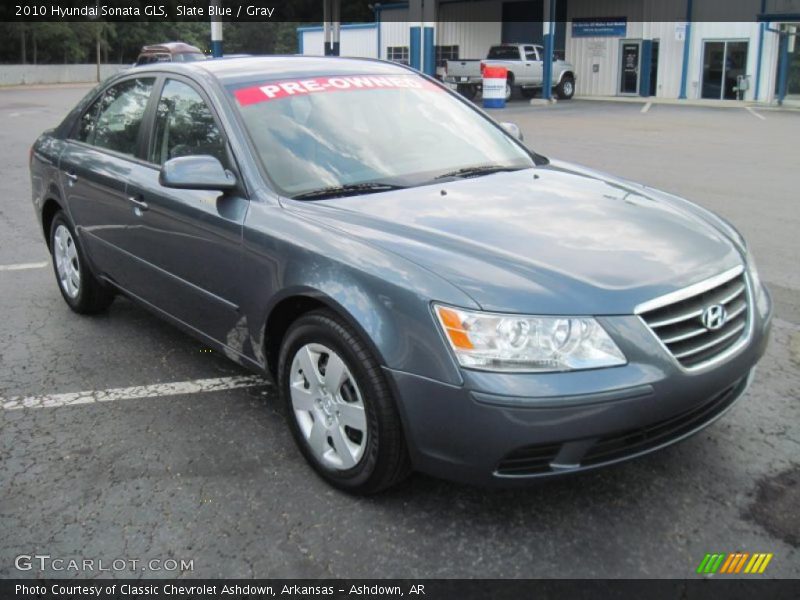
[[184, 126]]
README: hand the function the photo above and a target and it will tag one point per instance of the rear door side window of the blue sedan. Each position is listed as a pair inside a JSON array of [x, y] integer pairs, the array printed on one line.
[[121, 112]]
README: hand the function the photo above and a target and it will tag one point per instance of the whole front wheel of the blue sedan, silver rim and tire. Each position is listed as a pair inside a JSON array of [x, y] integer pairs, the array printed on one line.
[[340, 408]]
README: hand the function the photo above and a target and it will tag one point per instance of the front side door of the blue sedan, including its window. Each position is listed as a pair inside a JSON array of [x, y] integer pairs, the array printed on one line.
[[190, 240]]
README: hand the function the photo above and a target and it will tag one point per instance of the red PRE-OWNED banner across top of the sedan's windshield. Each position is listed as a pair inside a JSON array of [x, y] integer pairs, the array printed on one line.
[[275, 90]]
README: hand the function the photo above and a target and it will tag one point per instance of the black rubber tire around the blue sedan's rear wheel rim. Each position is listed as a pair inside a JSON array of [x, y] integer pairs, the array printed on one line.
[[91, 296]]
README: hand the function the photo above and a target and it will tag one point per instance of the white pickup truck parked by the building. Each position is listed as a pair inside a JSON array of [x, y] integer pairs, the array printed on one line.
[[525, 71]]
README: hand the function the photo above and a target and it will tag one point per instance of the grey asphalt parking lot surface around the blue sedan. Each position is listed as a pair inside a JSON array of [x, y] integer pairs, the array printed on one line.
[[208, 472]]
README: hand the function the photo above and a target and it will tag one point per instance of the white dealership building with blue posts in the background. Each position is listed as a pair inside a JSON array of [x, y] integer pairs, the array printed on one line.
[[663, 48]]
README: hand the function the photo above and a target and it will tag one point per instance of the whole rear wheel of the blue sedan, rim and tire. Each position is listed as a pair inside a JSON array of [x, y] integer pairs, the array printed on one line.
[[81, 290]]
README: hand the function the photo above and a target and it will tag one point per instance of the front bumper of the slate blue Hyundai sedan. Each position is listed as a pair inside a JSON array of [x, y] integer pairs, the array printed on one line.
[[507, 428]]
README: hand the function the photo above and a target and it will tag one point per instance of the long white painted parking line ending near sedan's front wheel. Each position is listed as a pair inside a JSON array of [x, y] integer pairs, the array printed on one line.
[[157, 390]]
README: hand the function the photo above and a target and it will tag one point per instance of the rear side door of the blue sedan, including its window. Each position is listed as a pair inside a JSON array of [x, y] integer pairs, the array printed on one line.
[[98, 157]]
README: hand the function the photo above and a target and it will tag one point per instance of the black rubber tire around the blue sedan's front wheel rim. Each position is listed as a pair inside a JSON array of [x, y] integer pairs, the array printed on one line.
[[385, 461]]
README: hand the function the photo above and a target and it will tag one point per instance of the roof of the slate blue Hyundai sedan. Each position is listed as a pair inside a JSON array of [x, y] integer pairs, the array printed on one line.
[[247, 69]]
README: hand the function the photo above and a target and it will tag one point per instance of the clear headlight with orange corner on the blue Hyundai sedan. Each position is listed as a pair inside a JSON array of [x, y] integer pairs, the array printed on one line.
[[499, 342]]
